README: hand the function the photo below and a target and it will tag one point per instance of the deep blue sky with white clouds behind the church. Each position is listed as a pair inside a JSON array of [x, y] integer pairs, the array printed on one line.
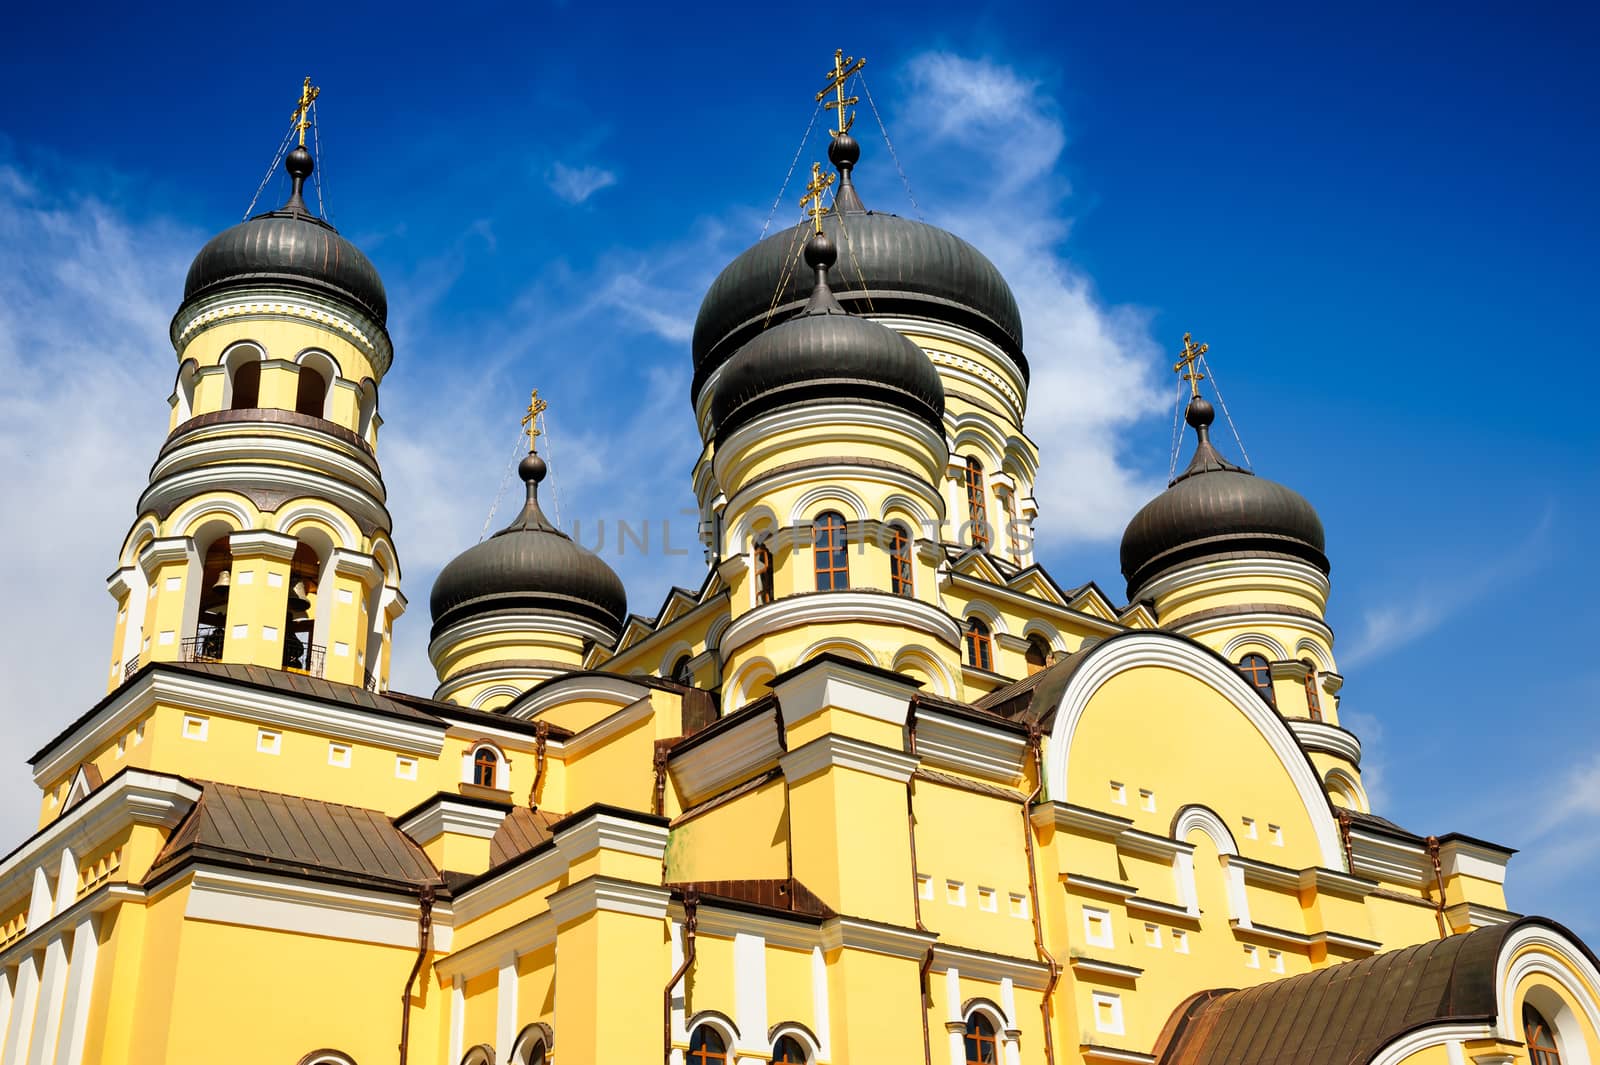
[[1382, 221]]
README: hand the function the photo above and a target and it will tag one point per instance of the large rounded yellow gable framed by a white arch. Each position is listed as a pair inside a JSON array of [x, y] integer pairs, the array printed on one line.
[[1178, 709]]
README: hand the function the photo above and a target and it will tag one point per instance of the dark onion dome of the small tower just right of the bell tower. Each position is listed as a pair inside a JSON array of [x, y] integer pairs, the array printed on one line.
[[530, 565]]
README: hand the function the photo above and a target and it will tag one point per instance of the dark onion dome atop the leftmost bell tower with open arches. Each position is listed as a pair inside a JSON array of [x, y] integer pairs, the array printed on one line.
[[289, 247]]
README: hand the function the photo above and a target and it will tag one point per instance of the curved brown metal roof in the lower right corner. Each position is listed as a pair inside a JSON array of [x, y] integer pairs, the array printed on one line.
[[1342, 1015]]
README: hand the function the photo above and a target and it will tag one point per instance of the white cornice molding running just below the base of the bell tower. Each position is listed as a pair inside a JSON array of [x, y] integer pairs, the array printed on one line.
[[257, 706]]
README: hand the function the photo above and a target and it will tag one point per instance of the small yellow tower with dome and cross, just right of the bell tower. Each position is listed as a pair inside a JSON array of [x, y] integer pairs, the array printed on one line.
[[524, 605]]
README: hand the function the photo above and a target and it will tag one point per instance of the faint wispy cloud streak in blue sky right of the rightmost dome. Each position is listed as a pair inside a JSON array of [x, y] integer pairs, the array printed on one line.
[[1426, 605]]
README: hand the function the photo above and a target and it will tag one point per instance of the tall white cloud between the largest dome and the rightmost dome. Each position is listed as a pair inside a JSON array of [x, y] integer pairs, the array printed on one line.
[[1092, 364]]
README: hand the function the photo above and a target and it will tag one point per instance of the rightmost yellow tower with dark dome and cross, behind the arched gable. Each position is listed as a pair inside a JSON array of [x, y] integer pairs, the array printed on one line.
[[1239, 564]]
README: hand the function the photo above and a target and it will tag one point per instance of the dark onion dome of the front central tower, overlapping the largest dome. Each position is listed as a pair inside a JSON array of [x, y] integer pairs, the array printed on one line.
[[823, 356]]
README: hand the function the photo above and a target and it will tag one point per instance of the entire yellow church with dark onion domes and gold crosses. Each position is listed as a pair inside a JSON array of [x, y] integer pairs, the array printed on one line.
[[881, 789]]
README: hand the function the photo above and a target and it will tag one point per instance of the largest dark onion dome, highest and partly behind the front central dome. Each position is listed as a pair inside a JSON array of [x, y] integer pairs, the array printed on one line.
[[889, 265]]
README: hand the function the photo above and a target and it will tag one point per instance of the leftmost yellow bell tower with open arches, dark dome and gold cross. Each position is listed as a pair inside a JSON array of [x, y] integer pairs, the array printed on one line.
[[263, 536]]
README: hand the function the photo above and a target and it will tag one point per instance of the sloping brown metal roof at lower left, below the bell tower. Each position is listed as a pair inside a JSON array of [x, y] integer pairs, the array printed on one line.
[[295, 836]]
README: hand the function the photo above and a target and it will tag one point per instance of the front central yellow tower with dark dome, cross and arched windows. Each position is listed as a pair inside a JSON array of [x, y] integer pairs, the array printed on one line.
[[830, 450]]
